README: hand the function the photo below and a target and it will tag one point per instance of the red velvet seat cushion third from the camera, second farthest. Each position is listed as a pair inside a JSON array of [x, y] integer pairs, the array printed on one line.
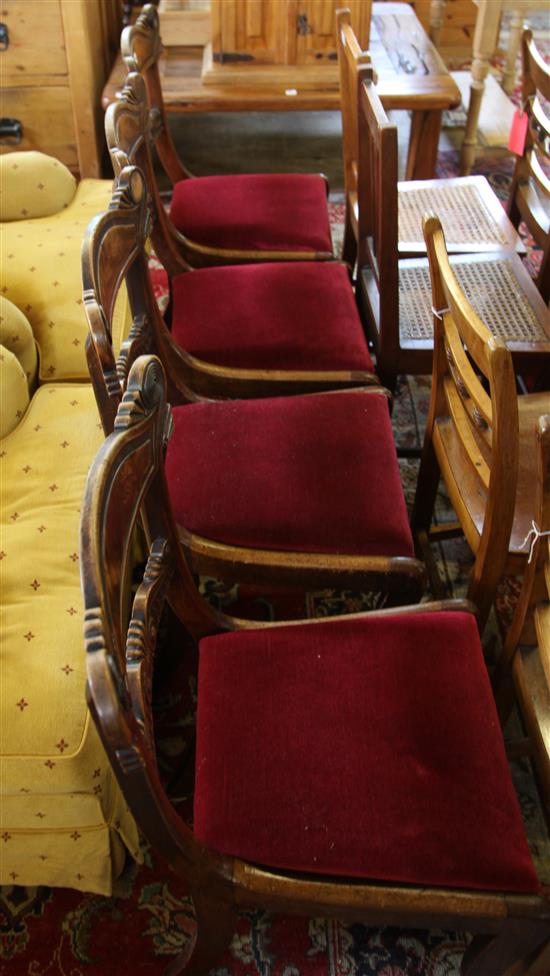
[[272, 316]]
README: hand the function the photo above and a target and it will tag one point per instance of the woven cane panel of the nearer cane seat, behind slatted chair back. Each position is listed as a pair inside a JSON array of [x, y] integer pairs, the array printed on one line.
[[490, 286]]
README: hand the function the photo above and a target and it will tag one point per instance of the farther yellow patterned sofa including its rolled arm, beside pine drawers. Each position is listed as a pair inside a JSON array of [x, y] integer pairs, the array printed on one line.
[[43, 216]]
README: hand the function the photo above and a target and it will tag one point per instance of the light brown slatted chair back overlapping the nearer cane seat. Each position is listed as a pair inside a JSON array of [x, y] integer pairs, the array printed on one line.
[[473, 389]]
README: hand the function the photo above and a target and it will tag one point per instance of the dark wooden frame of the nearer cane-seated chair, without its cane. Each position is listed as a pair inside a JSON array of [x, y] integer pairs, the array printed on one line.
[[380, 269]]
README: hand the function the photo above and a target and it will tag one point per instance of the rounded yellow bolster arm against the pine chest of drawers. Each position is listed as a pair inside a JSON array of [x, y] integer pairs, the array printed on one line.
[[33, 185]]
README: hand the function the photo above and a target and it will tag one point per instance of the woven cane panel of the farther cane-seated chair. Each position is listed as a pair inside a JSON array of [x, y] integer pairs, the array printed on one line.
[[462, 211]]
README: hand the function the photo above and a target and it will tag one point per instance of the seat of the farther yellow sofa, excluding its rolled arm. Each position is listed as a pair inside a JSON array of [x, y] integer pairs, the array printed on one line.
[[41, 274]]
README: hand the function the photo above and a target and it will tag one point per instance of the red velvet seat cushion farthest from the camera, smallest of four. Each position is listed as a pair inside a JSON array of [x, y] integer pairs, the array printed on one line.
[[254, 212]]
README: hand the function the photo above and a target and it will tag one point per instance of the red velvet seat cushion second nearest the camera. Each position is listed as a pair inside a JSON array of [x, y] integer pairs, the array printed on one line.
[[314, 473]]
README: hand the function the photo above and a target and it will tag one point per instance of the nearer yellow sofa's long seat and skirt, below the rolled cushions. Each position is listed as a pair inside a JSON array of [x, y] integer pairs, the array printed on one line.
[[62, 811]]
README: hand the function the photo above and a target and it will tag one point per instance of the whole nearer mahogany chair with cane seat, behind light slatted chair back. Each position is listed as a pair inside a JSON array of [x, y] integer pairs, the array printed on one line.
[[395, 295]]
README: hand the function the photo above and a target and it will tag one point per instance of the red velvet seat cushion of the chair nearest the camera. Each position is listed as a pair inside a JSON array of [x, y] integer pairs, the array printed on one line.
[[368, 748]]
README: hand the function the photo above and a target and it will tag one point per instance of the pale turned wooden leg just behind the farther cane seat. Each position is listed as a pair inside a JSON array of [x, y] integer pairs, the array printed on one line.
[[485, 41]]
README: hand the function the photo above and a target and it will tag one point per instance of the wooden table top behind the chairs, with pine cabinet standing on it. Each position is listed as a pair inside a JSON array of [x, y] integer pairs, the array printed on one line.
[[411, 75]]
